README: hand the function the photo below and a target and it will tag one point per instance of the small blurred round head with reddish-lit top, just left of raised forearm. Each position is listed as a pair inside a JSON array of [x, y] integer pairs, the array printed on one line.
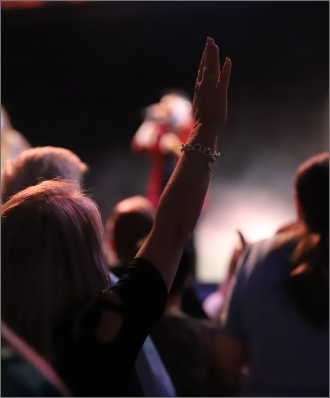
[[129, 225]]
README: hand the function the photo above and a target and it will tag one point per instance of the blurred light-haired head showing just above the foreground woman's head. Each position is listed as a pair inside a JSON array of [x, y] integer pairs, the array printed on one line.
[[37, 164]]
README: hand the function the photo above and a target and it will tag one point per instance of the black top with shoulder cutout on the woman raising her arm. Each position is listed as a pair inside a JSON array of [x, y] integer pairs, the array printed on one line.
[[91, 368]]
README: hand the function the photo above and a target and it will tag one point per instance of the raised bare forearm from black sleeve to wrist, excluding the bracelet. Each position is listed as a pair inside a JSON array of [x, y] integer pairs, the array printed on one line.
[[180, 205]]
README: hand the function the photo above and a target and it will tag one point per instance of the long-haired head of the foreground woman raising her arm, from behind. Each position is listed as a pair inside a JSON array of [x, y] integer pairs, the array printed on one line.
[[52, 261]]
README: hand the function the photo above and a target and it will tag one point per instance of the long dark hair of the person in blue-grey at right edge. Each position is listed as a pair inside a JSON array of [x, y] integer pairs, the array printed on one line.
[[309, 277]]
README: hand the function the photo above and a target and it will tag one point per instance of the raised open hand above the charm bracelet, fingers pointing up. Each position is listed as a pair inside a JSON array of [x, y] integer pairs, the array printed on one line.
[[210, 98]]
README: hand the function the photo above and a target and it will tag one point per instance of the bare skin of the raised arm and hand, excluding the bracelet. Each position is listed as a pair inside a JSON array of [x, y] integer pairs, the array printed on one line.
[[183, 197]]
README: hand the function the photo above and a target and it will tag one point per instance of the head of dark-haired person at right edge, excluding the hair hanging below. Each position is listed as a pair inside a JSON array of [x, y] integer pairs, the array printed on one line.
[[312, 192]]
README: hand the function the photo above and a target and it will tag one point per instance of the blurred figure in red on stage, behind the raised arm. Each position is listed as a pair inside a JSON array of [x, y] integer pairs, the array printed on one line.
[[166, 126]]
